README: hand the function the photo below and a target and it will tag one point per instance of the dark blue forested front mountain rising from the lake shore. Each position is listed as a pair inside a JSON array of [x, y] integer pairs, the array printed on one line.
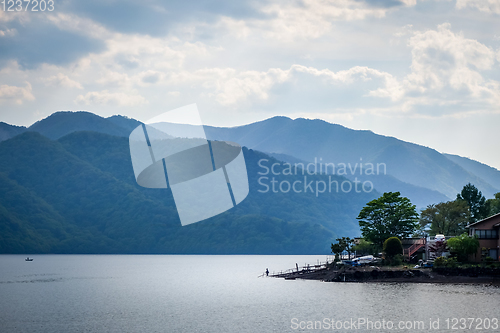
[[78, 195]]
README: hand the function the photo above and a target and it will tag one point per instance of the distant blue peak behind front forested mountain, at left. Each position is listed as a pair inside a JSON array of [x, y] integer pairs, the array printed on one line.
[[62, 123]]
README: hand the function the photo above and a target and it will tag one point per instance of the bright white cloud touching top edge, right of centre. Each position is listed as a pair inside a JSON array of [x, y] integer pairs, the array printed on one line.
[[287, 21]]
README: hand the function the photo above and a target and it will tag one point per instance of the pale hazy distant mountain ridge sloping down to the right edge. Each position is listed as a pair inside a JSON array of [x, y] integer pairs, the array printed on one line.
[[308, 140]]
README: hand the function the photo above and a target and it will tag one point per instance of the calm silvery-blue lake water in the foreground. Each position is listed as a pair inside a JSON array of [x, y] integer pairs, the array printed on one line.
[[128, 293]]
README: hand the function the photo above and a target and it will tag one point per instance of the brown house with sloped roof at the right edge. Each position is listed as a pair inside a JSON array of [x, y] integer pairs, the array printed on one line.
[[487, 231]]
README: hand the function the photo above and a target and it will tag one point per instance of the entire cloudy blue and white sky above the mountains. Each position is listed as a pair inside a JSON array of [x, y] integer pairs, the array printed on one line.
[[423, 71]]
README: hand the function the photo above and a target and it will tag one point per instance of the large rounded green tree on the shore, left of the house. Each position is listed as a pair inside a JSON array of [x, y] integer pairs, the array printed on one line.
[[388, 216]]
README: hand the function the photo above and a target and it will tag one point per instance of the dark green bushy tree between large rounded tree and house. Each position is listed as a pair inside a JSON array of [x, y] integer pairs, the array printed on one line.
[[447, 218]]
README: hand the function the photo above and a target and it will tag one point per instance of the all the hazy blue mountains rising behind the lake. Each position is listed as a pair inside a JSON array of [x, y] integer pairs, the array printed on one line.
[[70, 188]]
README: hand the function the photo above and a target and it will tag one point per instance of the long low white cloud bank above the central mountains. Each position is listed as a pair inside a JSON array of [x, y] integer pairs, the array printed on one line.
[[229, 87]]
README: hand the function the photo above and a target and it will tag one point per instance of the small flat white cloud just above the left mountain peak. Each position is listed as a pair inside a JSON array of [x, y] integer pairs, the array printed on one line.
[[107, 98]]
